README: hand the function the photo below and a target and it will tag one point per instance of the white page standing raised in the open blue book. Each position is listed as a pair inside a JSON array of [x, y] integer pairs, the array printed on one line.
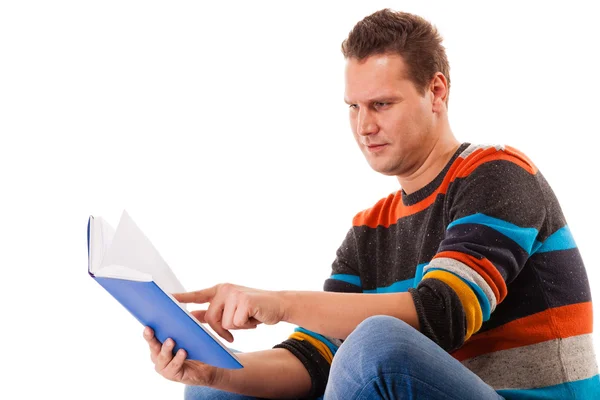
[[130, 248]]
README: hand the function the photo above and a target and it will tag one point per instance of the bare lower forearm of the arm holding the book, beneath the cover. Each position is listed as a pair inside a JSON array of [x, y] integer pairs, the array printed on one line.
[[270, 374]]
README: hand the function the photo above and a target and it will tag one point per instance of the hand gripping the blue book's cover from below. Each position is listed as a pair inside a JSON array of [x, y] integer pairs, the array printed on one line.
[[177, 368]]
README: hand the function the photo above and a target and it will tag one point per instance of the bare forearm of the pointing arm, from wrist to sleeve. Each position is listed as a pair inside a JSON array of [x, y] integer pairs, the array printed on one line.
[[337, 314]]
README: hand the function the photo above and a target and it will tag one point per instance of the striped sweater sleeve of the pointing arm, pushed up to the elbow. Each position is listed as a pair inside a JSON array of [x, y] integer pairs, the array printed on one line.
[[494, 211]]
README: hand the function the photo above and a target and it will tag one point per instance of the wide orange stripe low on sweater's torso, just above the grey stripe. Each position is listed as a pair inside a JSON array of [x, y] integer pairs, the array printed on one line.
[[554, 323]]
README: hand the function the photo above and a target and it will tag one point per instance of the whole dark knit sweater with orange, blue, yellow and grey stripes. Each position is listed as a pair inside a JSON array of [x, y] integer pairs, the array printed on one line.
[[496, 277]]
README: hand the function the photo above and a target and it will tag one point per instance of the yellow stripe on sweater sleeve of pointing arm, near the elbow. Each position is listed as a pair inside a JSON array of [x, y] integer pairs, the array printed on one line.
[[467, 298]]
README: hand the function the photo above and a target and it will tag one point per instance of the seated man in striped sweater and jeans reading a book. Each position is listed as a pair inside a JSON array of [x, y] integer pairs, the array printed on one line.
[[464, 284]]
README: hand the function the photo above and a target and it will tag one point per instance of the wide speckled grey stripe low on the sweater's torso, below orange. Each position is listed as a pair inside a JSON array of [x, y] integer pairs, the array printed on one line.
[[538, 365]]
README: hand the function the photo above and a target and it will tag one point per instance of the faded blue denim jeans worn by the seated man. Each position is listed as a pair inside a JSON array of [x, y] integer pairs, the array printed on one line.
[[385, 358]]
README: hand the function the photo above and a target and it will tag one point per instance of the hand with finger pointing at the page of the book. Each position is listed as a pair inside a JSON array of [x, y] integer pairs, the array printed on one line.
[[235, 307]]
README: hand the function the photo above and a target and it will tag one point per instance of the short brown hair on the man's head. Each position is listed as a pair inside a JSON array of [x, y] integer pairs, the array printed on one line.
[[412, 37]]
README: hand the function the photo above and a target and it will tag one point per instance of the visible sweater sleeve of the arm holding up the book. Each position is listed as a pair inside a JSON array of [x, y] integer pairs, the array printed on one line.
[[316, 351]]
